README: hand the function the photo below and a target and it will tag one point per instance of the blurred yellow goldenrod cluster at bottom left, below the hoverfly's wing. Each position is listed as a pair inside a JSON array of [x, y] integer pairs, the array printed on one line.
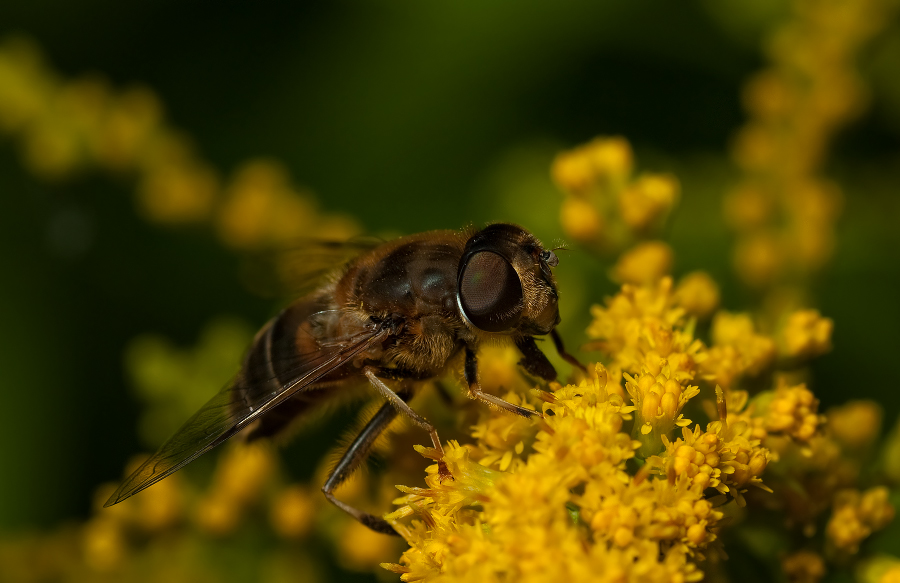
[[188, 527]]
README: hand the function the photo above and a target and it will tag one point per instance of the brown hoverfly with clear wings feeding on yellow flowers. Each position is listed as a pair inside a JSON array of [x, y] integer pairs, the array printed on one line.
[[393, 316]]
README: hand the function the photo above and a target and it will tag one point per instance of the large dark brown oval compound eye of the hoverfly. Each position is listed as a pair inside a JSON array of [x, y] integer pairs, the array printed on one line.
[[490, 292]]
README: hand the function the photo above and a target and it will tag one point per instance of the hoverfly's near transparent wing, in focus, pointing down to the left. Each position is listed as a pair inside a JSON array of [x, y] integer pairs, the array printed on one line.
[[237, 406]]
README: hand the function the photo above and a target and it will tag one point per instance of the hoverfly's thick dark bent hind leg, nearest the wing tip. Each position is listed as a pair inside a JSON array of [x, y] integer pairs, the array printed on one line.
[[351, 460]]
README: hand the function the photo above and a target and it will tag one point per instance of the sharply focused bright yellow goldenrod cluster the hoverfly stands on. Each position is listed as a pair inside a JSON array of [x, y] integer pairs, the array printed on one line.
[[618, 481]]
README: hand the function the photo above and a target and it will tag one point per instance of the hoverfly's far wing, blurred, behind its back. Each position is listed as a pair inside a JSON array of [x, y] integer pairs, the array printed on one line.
[[300, 267]]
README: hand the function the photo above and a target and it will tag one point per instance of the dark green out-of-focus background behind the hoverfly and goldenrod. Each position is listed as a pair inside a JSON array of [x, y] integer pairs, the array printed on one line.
[[410, 116]]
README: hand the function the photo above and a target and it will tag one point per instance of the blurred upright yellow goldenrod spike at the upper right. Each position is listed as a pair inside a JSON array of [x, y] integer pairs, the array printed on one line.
[[783, 211]]
